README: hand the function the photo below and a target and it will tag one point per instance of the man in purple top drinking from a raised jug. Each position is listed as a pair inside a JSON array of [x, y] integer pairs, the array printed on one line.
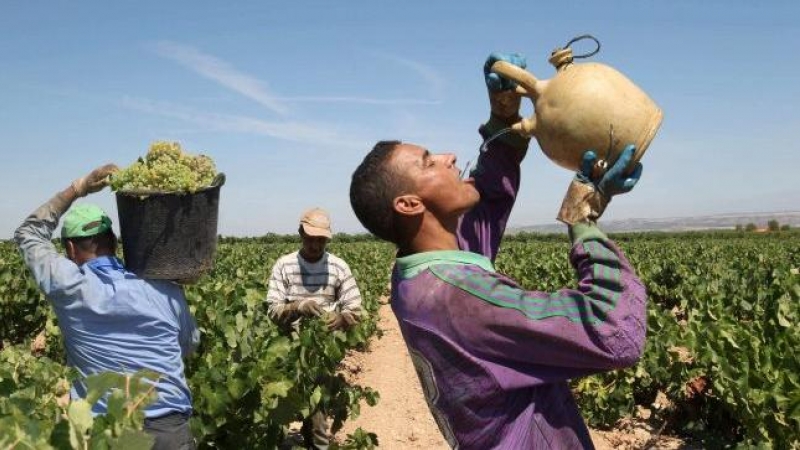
[[493, 358]]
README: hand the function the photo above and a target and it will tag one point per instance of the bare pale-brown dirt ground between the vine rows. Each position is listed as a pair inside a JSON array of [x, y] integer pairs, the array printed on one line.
[[401, 418]]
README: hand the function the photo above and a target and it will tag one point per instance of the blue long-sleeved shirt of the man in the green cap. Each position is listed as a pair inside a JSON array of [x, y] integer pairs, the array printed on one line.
[[112, 320]]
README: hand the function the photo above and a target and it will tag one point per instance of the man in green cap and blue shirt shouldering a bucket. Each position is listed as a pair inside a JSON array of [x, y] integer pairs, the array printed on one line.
[[111, 320]]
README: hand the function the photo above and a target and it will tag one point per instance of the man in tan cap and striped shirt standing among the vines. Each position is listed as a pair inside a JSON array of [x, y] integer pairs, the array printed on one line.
[[309, 283]]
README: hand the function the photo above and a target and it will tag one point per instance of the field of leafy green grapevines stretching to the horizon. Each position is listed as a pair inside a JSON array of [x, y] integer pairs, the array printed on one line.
[[721, 364]]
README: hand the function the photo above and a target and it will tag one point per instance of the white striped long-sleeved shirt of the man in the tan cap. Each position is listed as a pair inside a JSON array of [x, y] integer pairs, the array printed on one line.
[[329, 281]]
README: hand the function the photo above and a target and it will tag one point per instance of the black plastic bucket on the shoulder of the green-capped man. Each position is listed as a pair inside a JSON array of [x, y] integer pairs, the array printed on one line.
[[169, 236]]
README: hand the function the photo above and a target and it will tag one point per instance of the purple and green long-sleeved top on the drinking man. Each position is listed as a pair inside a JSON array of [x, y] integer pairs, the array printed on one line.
[[493, 358]]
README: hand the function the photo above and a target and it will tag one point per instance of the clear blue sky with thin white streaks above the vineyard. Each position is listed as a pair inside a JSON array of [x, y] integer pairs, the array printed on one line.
[[287, 97]]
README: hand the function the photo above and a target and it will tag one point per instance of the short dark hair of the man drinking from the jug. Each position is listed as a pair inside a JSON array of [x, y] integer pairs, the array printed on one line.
[[373, 188]]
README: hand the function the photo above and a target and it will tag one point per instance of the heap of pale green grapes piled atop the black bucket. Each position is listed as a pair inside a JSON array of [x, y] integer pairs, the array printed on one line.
[[166, 168]]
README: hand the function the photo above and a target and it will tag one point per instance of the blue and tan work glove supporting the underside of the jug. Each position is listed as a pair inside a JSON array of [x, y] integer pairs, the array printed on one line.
[[587, 197]]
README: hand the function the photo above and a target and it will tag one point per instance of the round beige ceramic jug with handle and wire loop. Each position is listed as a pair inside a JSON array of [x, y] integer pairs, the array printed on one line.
[[584, 106]]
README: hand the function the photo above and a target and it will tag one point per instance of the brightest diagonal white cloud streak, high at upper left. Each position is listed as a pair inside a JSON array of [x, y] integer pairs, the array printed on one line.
[[222, 72]]
